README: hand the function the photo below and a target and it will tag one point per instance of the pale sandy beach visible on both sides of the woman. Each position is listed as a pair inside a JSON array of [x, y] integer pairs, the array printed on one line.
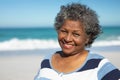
[[25, 67]]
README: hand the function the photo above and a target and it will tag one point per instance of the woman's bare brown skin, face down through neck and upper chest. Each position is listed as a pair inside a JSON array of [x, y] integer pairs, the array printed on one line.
[[72, 39]]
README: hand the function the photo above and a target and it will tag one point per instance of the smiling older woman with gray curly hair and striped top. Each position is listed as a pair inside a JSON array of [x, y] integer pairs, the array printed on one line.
[[77, 27]]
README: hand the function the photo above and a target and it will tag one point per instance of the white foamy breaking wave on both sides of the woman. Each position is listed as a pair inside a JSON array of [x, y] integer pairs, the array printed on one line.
[[32, 44]]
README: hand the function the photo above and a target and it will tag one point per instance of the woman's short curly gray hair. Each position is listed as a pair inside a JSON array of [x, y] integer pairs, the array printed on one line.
[[84, 14]]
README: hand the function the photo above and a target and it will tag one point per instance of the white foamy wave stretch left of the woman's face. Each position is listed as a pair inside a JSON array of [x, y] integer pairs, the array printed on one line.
[[27, 44]]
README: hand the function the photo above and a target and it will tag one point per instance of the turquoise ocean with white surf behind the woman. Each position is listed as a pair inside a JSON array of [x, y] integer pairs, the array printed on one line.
[[46, 38]]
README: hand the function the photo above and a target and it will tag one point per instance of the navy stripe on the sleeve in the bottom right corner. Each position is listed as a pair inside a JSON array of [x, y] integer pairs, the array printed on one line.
[[113, 75]]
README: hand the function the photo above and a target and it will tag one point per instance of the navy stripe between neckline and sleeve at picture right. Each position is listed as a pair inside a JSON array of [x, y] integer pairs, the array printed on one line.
[[90, 64]]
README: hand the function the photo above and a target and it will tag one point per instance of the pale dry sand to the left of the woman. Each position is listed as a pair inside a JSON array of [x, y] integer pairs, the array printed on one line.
[[19, 67]]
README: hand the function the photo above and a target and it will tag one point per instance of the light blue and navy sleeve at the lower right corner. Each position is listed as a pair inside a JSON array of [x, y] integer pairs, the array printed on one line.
[[108, 72]]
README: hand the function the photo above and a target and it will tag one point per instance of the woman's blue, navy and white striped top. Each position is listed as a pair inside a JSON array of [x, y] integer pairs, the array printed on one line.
[[95, 67]]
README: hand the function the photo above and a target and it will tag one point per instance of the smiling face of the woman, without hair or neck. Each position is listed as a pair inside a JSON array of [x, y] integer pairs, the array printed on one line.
[[72, 37]]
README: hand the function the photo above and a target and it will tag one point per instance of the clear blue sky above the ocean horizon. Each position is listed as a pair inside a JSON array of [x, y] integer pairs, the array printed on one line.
[[30, 13]]
